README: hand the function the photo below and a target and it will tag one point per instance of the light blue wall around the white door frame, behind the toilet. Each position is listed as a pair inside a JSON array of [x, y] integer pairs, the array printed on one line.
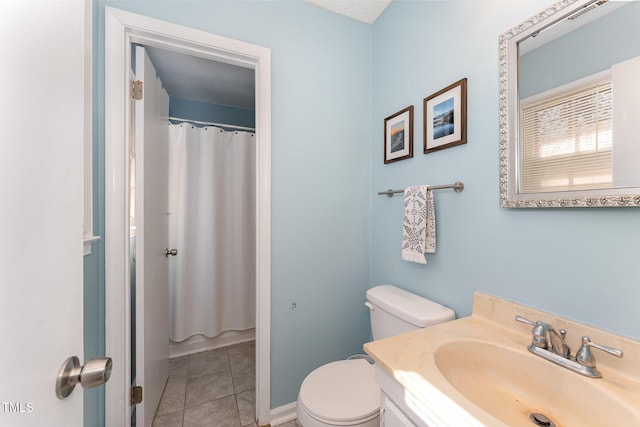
[[321, 138]]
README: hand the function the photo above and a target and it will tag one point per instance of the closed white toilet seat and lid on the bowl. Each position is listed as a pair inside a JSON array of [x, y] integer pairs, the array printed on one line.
[[341, 393]]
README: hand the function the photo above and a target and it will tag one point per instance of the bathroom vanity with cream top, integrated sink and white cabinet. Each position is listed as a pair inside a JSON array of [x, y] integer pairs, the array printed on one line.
[[479, 371]]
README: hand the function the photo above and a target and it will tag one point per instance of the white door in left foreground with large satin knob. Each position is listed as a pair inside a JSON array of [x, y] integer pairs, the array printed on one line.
[[41, 214]]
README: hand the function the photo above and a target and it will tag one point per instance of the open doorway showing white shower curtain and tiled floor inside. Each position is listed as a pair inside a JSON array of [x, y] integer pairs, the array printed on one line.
[[195, 194]]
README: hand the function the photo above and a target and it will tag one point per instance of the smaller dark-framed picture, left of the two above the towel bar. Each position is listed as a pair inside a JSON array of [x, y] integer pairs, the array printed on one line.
[[398, 135]]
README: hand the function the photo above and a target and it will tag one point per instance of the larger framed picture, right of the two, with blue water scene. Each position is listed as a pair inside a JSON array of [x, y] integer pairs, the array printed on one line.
[[445, 117]]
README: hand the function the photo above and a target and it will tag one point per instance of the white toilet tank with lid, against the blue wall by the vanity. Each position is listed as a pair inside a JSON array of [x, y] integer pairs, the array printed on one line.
[[395, 311]]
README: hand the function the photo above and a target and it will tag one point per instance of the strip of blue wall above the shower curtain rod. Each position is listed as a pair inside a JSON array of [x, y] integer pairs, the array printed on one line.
[[206, 112]]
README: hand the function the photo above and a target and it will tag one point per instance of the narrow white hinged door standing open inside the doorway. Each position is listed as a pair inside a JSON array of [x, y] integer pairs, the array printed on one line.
[[152, 231]]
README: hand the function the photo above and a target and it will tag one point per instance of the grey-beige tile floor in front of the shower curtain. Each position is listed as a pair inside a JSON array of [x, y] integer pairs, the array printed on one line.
[[211, 388]]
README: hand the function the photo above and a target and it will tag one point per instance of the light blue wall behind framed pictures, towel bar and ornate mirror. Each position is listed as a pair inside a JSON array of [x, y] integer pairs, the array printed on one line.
[[579, 263]]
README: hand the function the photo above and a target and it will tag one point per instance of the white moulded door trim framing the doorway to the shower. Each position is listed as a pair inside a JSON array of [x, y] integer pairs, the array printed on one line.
[[121, 29]]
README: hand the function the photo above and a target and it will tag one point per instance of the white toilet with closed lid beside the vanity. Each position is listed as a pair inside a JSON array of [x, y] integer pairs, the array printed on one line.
[[345, 393]]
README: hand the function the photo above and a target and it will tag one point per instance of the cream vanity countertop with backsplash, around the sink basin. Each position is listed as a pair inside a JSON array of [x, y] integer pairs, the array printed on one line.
[[411, 359]]
